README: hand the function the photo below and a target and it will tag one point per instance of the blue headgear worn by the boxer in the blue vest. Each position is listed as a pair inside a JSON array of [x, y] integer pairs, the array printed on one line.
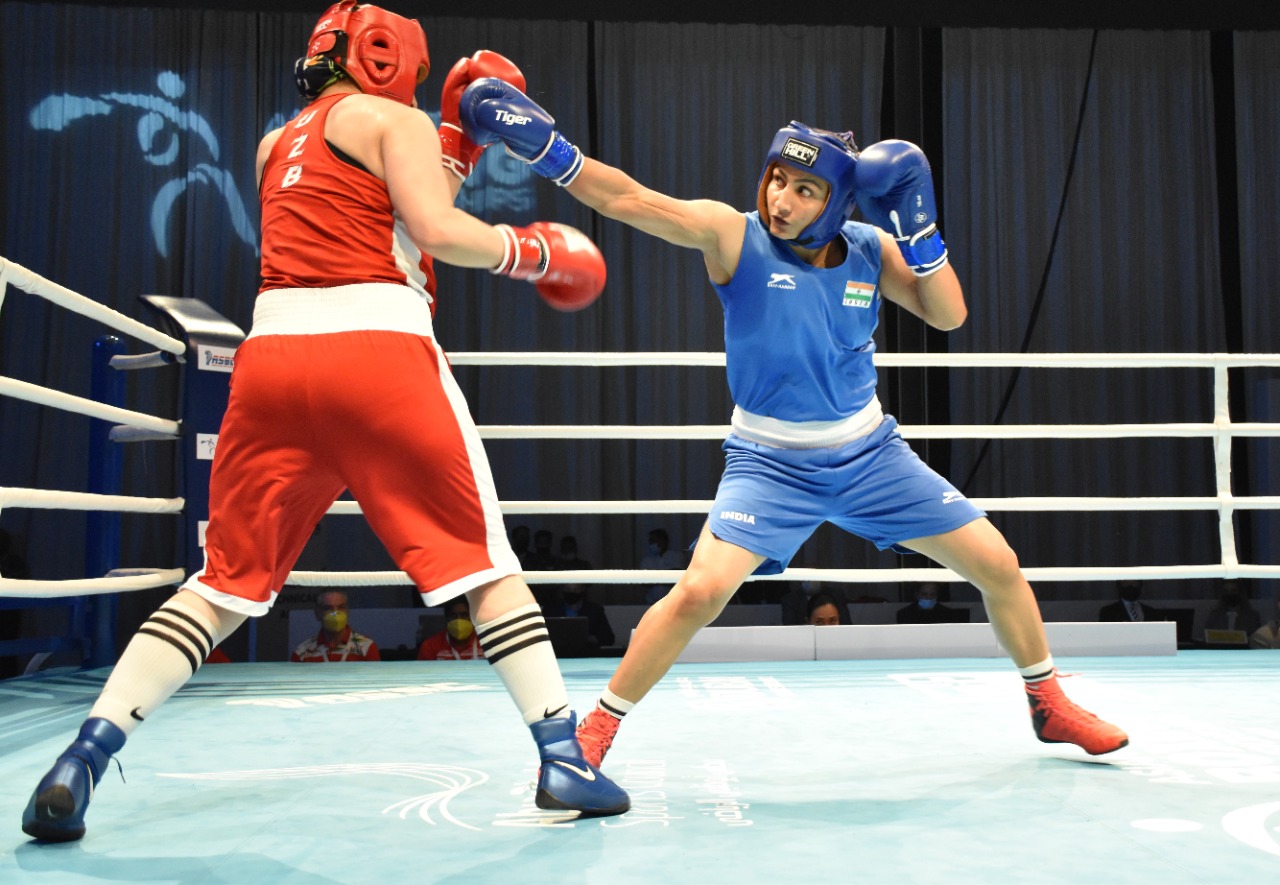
[[833, 157]]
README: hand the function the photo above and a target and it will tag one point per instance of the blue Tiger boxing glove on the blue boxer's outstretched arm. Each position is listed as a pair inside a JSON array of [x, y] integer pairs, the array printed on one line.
[[495, 111]]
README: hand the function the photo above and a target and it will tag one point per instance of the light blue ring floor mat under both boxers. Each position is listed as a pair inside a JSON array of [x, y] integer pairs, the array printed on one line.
[[861, 772]]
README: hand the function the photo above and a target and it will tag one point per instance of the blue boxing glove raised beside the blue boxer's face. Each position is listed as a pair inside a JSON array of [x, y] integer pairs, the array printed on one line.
[[895, 193]]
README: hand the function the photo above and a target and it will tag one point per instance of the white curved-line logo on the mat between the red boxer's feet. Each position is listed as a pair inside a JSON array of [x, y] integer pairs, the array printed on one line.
[[451, 781]]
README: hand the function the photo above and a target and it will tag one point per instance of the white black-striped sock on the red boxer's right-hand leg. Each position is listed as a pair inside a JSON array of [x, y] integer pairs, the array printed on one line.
[[520, 651]]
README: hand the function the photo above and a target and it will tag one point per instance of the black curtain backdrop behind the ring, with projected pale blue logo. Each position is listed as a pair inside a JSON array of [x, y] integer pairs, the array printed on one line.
[[127, 159]]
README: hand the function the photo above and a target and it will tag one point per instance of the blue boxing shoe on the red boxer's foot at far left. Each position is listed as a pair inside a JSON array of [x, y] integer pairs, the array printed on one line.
[[57, 809]]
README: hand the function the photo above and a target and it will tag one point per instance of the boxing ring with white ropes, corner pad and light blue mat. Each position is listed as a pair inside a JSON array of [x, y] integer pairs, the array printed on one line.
[[829, 770]]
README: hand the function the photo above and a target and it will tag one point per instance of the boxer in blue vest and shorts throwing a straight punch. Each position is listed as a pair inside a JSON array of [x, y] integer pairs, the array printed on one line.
[[802, 288]]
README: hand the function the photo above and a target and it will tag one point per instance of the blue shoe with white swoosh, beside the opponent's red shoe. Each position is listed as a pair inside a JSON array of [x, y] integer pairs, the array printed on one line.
[[568, 782]]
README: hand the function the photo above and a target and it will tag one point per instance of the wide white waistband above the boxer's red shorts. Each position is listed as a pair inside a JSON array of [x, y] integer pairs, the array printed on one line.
[[374, 307]]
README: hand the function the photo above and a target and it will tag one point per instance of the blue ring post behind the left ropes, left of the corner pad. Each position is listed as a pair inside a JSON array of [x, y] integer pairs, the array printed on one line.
[[103, 528]]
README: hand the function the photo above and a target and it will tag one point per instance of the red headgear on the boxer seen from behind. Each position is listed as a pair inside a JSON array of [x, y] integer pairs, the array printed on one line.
[[383, 53]]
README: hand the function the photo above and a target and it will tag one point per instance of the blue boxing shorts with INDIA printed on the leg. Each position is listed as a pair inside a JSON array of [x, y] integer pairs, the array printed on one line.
[[772, 500]]
